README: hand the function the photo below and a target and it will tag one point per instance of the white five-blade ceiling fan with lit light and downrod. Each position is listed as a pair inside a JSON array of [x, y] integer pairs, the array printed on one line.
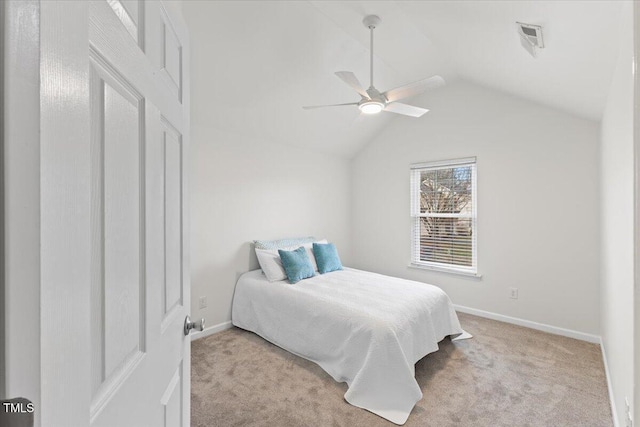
[[374, 101]]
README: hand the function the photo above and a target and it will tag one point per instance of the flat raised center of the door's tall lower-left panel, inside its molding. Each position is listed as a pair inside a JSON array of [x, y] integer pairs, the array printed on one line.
[[123, 281]]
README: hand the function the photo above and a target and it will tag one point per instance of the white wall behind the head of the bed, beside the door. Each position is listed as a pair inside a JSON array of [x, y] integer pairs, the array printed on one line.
[[244, 189]]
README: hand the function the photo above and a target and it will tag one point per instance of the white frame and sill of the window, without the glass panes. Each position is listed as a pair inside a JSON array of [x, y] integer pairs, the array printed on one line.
[[415, 171]]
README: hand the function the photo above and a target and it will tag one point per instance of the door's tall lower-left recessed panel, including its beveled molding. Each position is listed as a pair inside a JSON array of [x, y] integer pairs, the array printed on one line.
[[118, 285]]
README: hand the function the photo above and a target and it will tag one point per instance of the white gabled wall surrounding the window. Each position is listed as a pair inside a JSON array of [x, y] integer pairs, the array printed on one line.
[[537, 203]]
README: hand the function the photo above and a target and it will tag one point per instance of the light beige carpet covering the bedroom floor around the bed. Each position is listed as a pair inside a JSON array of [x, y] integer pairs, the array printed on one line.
[[506, 375]]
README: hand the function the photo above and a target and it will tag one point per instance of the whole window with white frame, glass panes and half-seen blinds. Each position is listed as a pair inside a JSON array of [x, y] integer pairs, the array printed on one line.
[[443, 215]]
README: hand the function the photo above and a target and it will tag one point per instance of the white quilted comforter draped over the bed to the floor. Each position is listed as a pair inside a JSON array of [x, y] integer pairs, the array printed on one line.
[[362, 328]]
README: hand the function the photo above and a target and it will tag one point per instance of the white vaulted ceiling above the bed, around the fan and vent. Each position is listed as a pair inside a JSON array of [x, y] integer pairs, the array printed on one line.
[[256, 63]]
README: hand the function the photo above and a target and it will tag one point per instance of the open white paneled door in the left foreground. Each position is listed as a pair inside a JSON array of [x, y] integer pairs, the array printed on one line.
[[114, 257]]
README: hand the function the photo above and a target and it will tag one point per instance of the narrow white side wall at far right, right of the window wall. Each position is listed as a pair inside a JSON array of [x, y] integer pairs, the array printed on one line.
[[617, 210]]
